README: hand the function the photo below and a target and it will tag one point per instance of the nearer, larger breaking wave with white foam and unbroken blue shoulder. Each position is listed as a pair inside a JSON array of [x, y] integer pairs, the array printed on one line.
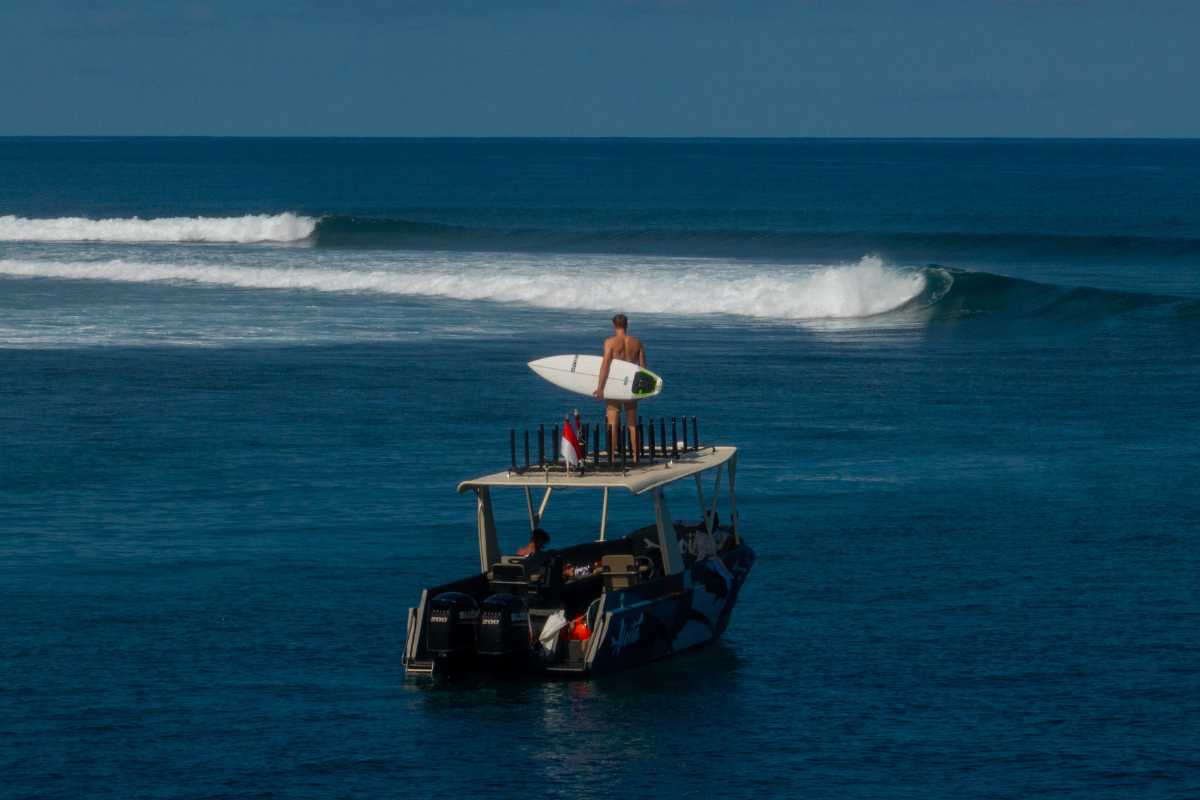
[[867, 290]]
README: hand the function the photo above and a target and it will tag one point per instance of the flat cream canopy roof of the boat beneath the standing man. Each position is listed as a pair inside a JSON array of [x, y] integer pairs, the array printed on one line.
[[638, 479]]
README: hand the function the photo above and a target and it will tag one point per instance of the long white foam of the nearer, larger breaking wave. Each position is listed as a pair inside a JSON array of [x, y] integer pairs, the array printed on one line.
[[854, 291]]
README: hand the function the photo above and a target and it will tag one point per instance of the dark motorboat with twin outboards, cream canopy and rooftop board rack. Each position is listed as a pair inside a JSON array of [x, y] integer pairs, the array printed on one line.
[[603, 604]]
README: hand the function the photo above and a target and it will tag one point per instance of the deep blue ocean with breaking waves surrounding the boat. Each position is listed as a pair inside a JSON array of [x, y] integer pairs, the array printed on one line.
[[239, 381]]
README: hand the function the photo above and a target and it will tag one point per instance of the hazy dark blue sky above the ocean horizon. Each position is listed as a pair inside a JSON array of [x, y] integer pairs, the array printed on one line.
[[601, 68]]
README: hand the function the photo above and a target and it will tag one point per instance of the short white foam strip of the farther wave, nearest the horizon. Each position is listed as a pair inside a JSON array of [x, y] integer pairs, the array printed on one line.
[[248, 230]]
